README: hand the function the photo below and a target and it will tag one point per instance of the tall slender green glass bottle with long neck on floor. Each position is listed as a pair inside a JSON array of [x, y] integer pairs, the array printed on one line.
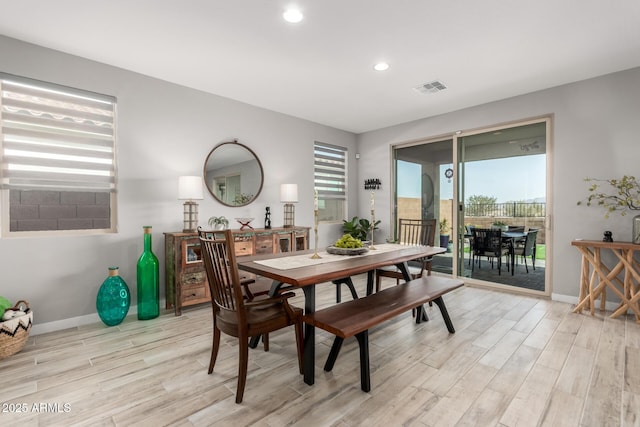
[[148, 280]]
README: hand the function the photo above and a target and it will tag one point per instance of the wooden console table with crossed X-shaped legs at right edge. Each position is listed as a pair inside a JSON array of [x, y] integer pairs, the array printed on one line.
[[596, 277]]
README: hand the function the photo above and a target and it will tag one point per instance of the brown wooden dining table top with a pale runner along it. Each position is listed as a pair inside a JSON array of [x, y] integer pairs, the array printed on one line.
[[344, 267]]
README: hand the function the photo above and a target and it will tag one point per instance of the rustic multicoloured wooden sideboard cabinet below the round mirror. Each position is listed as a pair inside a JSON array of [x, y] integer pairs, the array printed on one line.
[[186, 278]]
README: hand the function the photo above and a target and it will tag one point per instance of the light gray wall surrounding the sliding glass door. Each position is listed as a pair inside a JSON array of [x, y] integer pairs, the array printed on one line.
[[595, 134]]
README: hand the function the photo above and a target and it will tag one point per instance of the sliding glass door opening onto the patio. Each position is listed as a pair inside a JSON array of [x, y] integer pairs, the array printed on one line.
[[488, 179]]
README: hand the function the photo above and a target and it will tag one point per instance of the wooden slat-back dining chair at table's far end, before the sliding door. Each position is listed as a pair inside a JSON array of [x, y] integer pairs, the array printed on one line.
[[411, 232]]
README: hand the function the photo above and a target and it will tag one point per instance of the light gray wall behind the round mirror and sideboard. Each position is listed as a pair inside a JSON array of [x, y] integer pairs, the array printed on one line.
[[164, 131]]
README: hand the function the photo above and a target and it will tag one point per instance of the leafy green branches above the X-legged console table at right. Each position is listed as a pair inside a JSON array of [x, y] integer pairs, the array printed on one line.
[[626, 194]]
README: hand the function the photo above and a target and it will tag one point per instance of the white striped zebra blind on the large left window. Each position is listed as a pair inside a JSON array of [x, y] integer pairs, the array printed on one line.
[[55, 138]]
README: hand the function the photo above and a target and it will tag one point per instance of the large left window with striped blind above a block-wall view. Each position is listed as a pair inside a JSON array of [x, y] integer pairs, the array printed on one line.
[[58, 158]]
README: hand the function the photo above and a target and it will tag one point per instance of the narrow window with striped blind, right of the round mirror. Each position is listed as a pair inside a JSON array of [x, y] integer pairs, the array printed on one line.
[[330, 180]]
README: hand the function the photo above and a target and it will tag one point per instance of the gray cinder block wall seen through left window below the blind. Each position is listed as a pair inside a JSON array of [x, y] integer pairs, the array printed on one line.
[[33, 210]]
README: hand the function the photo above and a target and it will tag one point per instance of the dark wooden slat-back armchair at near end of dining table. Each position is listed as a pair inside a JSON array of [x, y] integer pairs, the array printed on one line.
[[233, 313]]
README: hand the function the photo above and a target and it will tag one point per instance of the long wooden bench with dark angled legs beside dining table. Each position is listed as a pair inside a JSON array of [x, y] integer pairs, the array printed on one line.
[[356, 317]]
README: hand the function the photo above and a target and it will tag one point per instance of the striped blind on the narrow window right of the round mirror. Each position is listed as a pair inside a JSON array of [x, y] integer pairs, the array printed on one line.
[[330, 165]]
